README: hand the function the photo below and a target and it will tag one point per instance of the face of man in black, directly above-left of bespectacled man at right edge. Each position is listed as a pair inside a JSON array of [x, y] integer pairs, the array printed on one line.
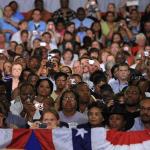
[[132, 96]]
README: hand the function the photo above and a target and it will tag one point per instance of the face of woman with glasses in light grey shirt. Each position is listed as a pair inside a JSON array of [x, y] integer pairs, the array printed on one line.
[[69, 102]]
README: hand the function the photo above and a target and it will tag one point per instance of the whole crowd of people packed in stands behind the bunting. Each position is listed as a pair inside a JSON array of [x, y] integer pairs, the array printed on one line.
[[70, 69]]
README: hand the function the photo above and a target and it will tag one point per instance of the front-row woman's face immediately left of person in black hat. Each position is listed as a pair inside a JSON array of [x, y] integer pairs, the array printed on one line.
[[95, 116]]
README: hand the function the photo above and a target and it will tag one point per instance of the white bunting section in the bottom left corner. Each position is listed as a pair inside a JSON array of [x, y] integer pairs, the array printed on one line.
[[6, 136]]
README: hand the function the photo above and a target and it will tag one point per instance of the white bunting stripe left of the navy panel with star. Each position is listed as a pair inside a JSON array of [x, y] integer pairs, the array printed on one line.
[[62, 139]]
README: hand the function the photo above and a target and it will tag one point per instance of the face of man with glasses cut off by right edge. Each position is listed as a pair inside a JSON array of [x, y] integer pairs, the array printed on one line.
[[145, 111]]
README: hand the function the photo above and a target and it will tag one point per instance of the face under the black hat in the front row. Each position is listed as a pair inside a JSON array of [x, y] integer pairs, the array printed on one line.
[[117, 122]]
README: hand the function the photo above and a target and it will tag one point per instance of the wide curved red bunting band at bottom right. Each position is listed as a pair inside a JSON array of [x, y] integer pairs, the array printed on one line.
[[127, 138]]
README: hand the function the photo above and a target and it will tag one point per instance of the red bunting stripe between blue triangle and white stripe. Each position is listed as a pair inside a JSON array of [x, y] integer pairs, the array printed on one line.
[[45, 138]]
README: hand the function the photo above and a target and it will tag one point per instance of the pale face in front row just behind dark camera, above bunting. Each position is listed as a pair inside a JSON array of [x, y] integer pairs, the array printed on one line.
[[51, 120]]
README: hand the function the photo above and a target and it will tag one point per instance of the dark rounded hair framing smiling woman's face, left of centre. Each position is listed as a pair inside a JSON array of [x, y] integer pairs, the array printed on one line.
[[41, 80]]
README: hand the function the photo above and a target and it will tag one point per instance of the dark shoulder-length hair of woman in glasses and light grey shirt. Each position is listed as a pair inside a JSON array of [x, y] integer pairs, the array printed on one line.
[[76, 98]]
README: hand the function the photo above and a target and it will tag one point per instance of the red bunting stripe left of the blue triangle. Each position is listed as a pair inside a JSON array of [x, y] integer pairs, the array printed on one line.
[[20, 138]]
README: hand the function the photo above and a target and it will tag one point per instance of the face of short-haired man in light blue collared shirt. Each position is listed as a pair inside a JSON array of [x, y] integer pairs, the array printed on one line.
[[123, 72]]
